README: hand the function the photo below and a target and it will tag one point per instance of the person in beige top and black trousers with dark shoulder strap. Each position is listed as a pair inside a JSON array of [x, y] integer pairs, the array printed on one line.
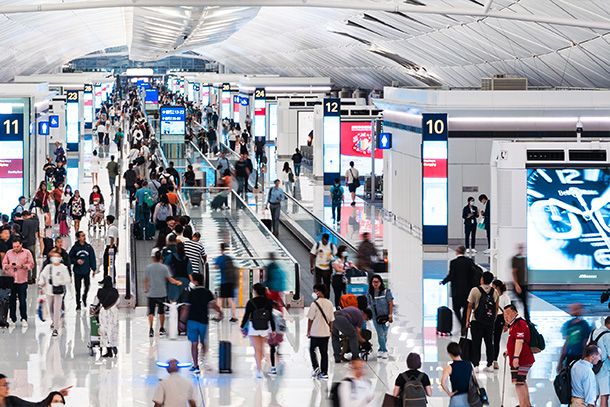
[[320, 319]]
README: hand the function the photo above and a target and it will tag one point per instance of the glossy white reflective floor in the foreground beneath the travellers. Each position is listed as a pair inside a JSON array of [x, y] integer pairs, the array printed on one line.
[[36, 363]]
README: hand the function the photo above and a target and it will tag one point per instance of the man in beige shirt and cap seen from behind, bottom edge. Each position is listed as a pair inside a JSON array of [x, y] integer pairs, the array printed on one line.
[[175, 390]]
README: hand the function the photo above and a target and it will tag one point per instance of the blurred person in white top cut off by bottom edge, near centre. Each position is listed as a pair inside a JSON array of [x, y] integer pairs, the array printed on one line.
[[356, 389]]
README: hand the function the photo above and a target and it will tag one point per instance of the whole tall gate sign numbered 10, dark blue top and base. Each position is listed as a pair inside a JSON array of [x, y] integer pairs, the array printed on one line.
[[435, 203]]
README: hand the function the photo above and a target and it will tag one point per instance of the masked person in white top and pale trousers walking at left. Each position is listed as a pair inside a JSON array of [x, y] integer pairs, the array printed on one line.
[[54, 279]]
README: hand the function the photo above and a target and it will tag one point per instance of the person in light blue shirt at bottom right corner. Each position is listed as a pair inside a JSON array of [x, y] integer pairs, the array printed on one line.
[[584, 385]]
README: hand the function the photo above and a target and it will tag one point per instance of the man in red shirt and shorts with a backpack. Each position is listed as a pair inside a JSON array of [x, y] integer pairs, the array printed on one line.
[[519, 353]]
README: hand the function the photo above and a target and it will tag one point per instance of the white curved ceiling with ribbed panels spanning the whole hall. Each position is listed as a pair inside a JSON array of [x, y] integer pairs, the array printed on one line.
[[356, 48]]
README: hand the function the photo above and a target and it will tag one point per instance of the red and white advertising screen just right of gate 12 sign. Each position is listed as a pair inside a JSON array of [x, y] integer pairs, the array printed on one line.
[[356, 147]]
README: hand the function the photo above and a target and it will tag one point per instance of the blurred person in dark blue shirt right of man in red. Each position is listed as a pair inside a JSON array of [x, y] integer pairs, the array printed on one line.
[[576, 333]]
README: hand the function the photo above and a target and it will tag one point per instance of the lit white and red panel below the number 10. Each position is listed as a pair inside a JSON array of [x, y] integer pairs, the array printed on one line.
[[435, 210]]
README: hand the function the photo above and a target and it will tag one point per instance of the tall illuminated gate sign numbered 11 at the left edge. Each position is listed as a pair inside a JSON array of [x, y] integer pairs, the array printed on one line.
[[11, 160]]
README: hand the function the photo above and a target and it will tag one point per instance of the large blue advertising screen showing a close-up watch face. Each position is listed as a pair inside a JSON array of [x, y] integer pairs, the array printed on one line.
[[568, 225]]
